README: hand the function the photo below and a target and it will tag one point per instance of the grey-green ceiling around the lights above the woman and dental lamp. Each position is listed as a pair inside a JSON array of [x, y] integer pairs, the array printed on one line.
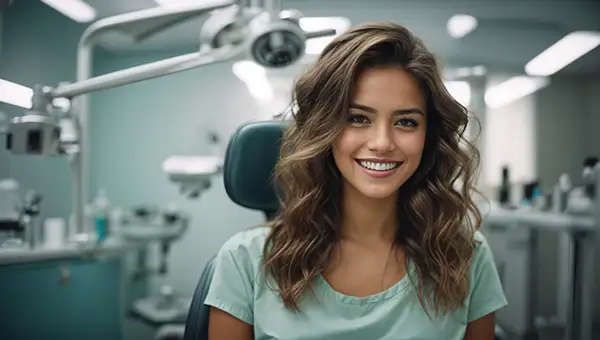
[[509, 34]]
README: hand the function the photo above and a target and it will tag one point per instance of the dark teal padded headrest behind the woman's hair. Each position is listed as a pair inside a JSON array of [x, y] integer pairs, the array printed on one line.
[[250, 159]]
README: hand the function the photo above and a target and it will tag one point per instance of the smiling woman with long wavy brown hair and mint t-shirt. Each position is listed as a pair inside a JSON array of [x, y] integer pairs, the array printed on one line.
[[372, 241]]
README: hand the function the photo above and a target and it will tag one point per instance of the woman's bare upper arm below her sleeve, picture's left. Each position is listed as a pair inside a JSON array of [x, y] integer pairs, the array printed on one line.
[[224, 326]]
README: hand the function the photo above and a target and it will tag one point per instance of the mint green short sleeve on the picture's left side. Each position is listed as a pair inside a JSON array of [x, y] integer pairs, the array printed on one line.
[[232, 287]]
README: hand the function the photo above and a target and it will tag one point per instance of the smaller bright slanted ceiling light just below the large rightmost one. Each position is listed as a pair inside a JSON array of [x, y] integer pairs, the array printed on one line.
[[513, 89]]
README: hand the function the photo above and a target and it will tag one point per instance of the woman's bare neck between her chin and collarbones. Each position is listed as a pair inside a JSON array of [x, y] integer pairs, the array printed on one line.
[[368, 220]]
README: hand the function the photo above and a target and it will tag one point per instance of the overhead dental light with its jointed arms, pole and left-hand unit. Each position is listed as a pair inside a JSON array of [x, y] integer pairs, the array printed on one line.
[[233, 30]]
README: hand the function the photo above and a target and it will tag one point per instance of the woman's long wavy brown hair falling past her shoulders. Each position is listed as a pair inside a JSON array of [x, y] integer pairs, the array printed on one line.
[[437, 221]]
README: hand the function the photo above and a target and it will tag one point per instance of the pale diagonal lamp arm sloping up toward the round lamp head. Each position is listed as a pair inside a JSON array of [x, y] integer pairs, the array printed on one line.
[[147, 71]]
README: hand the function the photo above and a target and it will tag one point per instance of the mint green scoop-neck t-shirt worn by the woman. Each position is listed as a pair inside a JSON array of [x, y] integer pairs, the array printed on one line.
[[239, 288]]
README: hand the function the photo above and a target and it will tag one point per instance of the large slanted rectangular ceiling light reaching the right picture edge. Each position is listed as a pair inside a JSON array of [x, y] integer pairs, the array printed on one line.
[[565, 51]]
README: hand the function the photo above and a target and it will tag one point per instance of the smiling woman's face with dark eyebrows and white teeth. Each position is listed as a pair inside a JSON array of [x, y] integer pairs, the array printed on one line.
[[383, 140]]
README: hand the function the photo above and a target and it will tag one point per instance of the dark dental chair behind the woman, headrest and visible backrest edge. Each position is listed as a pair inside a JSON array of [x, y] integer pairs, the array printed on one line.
[[250, 159]]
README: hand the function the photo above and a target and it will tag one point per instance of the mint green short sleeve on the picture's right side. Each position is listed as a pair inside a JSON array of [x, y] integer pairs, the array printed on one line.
[[486, 294]]
